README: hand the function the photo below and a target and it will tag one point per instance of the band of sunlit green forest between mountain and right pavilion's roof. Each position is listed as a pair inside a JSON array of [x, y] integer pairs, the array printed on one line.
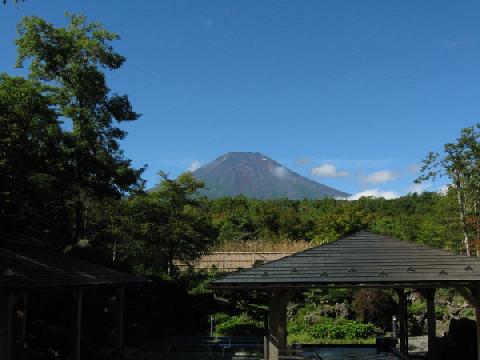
[[429, 218]]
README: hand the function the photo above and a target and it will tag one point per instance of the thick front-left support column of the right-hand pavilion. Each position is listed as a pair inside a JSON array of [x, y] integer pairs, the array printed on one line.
[[277, 324]]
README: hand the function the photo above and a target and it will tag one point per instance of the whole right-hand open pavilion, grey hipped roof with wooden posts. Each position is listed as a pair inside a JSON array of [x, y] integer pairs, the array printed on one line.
[[361, 260]]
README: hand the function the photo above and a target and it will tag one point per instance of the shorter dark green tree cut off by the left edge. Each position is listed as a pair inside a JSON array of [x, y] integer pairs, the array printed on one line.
[[31, 202]]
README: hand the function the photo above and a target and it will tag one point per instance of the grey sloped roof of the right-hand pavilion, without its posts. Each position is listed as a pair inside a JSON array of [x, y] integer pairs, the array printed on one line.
[[363, 259]]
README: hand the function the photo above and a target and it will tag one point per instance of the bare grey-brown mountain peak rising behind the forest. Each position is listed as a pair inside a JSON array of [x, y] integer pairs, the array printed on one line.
[[257, 176]]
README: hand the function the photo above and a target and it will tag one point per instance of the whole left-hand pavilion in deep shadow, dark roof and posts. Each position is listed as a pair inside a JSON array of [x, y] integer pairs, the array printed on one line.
[[25, 270]]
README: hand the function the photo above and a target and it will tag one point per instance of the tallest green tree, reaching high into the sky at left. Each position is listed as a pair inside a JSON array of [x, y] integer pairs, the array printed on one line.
[[71, 62]]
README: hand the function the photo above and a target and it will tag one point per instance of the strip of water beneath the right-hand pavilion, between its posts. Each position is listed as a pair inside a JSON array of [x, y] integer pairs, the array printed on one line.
[[353, 353]]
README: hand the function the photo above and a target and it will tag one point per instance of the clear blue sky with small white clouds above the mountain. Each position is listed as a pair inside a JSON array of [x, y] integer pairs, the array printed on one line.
[[352, 94]]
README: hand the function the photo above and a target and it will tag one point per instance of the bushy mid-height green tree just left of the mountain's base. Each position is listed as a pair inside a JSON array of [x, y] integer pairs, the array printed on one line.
[[170, 224]]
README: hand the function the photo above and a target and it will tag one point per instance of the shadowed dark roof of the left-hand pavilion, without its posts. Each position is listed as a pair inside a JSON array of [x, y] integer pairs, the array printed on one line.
[[35, 268]]
